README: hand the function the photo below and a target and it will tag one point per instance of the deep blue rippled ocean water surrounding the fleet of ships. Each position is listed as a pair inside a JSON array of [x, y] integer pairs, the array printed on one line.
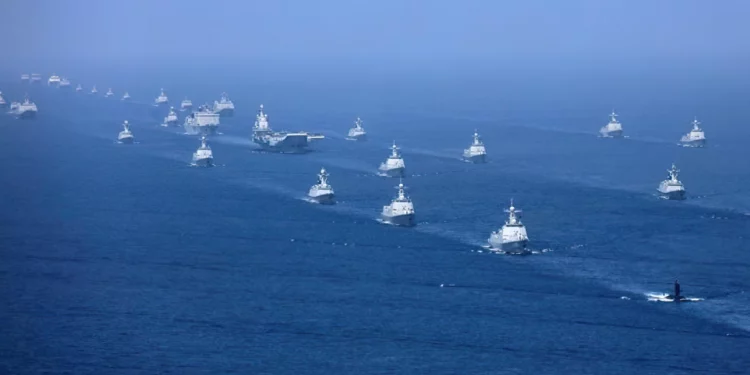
[[123, 259]]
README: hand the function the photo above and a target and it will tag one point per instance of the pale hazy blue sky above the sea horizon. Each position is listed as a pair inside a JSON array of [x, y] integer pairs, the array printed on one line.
[[390, 32]]
